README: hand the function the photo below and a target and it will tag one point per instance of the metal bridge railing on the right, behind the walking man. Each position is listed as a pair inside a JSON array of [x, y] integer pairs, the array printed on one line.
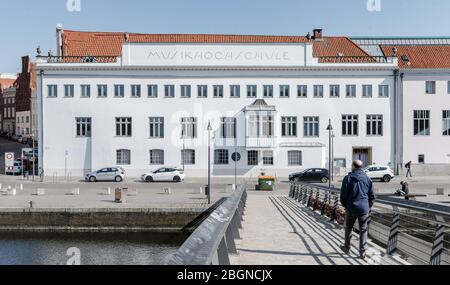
[[417, 231]]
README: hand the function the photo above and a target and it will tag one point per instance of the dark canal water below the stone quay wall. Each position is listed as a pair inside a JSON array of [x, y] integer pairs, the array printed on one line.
[[94, 248]]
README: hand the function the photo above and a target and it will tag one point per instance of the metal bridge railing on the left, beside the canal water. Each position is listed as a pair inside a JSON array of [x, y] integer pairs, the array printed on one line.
[[213, 241]]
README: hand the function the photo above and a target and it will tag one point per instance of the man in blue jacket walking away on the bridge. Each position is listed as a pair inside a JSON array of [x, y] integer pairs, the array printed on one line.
[[357, 197]]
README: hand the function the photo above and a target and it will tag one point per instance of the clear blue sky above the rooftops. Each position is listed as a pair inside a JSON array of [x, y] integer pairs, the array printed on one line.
[[25, 24]]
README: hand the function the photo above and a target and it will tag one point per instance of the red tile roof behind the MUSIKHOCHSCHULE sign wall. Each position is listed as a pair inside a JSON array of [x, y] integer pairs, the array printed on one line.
[[76, 43]]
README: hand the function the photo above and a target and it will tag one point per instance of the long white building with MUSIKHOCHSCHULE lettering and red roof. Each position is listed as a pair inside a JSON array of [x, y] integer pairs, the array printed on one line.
[[131, 102]]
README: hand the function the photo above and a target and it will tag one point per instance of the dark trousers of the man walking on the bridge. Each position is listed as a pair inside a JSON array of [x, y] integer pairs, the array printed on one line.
[[350, 220]]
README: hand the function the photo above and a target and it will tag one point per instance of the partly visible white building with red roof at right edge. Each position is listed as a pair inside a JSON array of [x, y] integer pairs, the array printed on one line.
[[423, 101]]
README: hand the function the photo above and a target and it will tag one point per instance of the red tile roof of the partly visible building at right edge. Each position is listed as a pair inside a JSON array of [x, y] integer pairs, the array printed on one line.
[[421, 56]]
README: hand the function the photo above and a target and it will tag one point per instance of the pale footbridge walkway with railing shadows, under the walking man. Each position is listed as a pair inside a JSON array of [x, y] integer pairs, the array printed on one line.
[[279, 231]]
